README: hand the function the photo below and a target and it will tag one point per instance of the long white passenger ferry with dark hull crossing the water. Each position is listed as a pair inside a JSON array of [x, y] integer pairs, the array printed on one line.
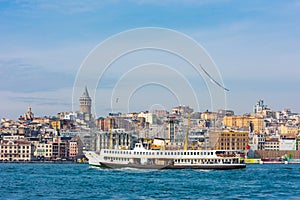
[[142, 157]]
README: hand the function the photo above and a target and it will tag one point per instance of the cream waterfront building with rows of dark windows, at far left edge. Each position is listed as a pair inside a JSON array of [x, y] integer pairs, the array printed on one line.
[[16, 151]]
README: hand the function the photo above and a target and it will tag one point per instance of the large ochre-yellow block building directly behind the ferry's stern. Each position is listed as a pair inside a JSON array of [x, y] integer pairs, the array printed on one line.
[[229, 140]]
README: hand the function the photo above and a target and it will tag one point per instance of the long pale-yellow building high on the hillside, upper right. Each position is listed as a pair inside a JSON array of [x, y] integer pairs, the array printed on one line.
[[243, 122]]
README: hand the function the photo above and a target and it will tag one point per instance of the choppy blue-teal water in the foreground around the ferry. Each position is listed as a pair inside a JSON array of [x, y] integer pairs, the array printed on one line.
[[68, 181]]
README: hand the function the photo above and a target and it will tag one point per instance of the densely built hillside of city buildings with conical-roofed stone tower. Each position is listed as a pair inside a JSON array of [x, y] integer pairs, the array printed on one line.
[[263, 133]]
